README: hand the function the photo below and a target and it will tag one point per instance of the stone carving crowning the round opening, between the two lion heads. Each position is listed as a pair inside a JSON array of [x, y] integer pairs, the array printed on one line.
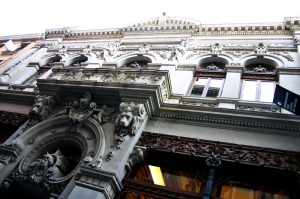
[[78, 112]]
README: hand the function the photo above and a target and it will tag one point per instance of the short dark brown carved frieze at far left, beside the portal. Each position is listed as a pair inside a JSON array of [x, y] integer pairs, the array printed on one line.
[[15, 119]]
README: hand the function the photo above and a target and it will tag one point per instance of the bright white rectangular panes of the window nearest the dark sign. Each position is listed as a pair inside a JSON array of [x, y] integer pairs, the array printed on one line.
[[257, 90]]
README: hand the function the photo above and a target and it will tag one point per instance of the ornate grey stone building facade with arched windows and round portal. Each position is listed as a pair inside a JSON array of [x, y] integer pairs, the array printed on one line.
[[164, 108]]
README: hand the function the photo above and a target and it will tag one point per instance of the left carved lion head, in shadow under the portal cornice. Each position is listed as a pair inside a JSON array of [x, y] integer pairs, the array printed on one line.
[[42, 107]]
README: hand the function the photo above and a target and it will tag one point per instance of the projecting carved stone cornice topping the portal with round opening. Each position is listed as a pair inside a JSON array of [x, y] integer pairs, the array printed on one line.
[[150, 87]]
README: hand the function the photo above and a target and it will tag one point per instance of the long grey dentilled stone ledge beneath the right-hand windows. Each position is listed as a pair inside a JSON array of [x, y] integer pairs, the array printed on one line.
[[244, 120]]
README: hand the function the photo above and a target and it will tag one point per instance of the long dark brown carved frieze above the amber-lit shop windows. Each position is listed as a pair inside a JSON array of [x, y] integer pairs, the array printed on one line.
[[243, 154]]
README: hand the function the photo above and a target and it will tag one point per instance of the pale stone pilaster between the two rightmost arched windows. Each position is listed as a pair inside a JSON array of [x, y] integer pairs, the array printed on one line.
[[232, 86]]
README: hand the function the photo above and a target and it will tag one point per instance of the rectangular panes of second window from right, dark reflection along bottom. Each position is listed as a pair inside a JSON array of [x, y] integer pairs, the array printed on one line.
[[207, 87]]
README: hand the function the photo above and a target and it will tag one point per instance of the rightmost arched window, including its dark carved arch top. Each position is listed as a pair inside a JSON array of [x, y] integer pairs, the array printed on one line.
[[258, 82]]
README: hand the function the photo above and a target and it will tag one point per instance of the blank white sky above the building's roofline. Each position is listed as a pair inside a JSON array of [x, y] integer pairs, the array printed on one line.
[[34, 16]]
